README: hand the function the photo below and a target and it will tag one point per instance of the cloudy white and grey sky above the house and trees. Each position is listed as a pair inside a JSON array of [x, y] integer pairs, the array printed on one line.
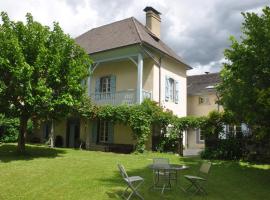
[[197, 30]]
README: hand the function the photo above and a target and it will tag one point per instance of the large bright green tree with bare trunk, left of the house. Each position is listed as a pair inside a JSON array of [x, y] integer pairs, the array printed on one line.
[[41, 72]]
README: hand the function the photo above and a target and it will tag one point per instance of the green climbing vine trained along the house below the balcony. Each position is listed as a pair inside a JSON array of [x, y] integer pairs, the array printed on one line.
[[140, 118]]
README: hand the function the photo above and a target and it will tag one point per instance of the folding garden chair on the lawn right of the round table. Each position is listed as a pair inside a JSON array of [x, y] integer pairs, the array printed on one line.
[[196, 181]]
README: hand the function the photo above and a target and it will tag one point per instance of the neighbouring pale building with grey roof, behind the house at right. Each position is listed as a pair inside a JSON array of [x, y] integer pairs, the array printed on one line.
[[202, 99]]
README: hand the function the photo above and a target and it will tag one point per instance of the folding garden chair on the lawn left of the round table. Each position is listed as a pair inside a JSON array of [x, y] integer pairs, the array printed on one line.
[[133, 183]]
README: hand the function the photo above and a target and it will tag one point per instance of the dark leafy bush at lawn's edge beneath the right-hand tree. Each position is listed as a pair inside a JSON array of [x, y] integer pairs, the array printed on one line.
[[234, 145]]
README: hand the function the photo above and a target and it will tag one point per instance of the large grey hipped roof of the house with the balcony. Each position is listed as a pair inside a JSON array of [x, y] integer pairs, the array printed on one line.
[[122, 33]]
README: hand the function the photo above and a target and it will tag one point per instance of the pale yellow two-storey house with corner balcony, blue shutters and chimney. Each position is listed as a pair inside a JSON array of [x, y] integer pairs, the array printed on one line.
[[131, 63]]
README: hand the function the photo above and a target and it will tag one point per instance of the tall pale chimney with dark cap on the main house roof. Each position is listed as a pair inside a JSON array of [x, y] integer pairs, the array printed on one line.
[[153, 20]]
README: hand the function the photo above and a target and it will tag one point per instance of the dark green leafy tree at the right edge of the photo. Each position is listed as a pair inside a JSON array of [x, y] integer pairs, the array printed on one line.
[[245, 87]]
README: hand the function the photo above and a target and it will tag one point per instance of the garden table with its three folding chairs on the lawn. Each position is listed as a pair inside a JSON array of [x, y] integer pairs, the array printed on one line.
[[164, 174]]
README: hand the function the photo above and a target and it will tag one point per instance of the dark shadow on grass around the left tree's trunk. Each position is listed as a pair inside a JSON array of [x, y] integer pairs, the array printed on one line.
[[8, 152]]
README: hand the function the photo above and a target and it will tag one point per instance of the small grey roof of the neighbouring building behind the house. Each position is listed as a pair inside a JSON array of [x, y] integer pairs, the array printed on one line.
[[204, 83]]
